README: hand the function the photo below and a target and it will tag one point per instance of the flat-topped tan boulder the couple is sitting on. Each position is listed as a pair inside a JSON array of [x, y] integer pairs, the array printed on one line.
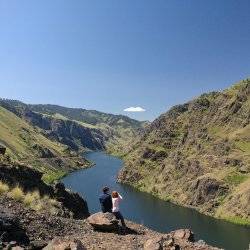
[[103, 221]]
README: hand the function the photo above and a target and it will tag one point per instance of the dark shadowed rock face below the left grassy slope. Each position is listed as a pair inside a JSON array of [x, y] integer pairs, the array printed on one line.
[[31, 180]]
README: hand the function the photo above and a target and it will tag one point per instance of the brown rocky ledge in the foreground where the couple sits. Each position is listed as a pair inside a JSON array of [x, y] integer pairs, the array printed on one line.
[[23, 228]]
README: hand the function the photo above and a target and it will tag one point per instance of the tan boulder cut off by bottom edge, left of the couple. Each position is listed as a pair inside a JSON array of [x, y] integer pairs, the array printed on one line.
[[65, 244]]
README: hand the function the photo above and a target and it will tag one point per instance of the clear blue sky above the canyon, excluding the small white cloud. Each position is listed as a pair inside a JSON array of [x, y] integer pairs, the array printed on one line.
[[111, 55]]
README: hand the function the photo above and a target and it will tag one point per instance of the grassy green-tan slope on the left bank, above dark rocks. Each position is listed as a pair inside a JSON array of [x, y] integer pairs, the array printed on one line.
[[27, 145]]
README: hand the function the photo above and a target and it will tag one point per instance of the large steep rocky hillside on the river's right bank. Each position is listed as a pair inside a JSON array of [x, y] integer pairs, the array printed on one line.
[[198, 154]]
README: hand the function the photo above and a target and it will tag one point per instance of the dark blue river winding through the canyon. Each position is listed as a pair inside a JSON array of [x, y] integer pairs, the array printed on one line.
[[148, 210]]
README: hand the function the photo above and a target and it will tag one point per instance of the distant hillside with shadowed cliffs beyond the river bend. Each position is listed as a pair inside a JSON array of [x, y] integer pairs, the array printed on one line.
[[79, 128]]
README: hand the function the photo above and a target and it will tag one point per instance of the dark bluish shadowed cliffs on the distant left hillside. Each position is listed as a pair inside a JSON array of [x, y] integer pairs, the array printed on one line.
[[63, 130]]
